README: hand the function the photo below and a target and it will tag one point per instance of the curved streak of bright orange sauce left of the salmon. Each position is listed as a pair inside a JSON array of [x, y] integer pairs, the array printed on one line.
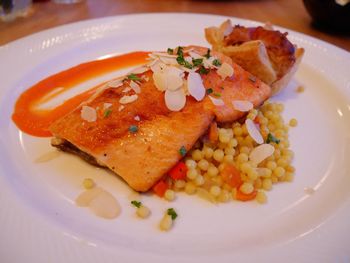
[[36, 122]]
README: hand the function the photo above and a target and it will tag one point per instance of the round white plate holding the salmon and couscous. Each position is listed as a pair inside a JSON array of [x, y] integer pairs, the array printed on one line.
[[40, 223]]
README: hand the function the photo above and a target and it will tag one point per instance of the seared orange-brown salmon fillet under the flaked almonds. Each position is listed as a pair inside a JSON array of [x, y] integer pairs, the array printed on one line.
[[140, 141]]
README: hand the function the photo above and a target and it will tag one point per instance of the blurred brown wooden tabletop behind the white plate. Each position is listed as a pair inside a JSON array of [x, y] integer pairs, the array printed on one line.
[[286, 13]]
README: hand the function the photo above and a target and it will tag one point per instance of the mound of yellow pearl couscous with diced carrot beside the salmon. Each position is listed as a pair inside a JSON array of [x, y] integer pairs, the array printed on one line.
[[228, 169]]
